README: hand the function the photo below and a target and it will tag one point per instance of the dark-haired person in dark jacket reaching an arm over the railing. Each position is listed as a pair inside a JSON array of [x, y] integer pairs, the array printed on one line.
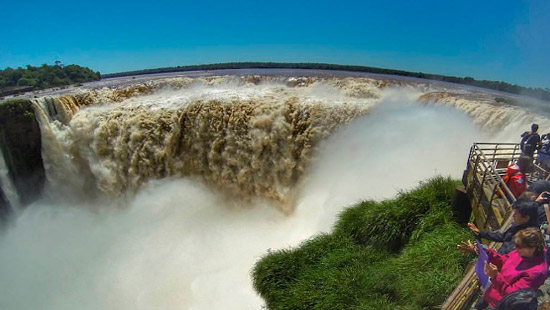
[[525, 215]]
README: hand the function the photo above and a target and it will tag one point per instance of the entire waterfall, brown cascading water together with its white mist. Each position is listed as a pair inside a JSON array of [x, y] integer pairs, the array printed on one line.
[[176, 148]]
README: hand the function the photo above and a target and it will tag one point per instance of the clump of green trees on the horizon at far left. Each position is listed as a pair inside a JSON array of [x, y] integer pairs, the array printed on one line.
[[19, 80]]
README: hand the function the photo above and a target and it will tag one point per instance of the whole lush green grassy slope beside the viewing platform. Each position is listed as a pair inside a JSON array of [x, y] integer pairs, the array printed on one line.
[[394, 254]]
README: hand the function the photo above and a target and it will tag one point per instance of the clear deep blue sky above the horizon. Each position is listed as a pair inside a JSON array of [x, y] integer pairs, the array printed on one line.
[[497, 40]]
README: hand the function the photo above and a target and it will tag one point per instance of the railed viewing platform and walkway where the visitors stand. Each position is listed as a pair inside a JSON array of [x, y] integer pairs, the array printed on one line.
[[490, 201]]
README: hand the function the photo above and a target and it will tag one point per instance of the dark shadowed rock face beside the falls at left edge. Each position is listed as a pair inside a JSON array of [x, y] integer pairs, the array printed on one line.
[[21, 145]]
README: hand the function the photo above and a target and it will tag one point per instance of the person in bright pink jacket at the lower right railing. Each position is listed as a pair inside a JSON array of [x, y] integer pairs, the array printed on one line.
[[523, 268]]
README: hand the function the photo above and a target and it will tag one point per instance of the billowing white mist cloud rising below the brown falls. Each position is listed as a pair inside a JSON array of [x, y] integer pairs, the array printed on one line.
[[179, 246]]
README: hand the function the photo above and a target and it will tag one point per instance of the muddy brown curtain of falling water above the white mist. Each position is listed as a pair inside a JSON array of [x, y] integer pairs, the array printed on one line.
[[249, 137]]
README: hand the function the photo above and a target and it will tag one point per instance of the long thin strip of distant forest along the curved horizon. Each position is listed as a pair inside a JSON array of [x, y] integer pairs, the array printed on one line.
[[538, 93]]
